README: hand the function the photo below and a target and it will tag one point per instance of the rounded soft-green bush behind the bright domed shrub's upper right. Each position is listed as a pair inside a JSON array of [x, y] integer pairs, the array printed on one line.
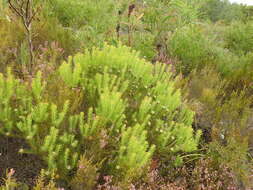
[[191, 47]]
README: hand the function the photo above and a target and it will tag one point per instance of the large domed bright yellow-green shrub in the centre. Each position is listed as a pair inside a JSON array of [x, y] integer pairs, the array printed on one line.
[[126, 94]]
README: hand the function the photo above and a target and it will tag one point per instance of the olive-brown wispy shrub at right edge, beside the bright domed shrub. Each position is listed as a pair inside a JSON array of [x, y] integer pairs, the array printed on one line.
[[224, 116]]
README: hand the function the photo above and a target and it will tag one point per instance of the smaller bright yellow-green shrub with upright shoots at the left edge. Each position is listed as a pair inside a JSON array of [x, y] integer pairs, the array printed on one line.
[[25, 114]]
